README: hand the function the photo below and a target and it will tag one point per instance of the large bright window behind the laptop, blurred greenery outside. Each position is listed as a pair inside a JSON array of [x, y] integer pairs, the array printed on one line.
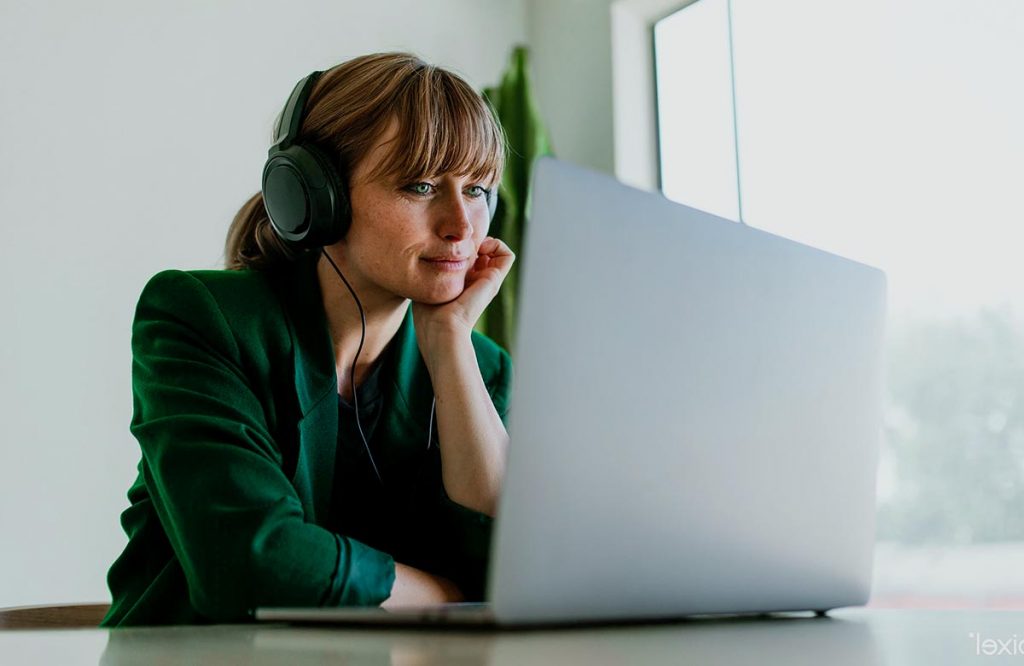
[[889, 132]]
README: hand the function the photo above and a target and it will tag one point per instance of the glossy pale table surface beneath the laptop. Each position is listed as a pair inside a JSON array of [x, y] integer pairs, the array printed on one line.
[[856, 637]]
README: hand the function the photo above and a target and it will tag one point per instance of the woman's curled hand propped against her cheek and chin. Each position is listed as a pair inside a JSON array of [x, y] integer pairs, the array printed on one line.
[[459, 317]]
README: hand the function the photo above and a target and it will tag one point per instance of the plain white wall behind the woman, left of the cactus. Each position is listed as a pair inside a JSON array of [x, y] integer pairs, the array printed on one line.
[[133, 134]]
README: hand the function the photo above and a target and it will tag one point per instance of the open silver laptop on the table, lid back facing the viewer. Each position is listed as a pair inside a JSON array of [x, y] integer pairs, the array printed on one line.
[[696, 424]]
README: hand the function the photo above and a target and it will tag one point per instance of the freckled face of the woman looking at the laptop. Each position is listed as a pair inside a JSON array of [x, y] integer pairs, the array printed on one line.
[[414, 240]]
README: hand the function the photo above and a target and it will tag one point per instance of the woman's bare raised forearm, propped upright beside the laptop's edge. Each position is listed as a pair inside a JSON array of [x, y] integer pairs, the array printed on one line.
[[474, 440]]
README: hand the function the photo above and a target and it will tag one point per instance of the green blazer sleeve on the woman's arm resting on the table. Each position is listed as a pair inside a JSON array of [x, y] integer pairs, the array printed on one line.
[[216, 475]]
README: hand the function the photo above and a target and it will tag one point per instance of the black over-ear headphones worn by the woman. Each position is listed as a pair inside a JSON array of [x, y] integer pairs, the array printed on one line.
[[306, 195]]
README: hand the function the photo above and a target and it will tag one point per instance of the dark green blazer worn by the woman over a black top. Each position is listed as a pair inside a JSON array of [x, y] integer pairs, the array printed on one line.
[[236, 413]]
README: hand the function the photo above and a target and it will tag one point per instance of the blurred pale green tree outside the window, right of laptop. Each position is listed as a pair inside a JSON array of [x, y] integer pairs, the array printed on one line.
[[955, 431]]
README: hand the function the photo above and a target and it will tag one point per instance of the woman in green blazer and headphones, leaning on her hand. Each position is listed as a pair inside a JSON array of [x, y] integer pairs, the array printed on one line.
[[304, 442]]
